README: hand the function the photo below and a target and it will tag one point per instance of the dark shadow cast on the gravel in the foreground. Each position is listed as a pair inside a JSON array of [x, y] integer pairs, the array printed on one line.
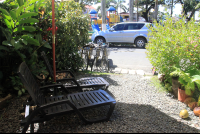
[[126, 118]]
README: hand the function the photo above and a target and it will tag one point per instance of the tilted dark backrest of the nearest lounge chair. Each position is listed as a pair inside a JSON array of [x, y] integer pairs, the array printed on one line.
[[30, 84]]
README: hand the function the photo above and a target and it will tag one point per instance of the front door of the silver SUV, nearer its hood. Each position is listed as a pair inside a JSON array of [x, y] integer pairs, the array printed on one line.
[[116, 35]]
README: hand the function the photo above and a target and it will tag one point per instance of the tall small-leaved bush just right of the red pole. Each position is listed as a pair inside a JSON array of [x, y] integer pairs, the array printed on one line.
[[72, 34]]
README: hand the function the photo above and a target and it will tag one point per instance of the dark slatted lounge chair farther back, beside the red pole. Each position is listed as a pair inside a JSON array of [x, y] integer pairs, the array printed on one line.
[[86, 82]]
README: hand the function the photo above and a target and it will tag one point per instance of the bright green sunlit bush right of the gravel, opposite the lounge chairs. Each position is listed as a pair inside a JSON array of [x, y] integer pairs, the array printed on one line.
[[174, 43]]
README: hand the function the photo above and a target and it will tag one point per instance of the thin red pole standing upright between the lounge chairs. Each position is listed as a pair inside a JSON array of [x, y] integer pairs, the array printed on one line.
[[53, 40]]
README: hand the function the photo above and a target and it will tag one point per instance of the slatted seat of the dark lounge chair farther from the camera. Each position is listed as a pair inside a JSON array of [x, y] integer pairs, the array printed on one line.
[[88, 82]]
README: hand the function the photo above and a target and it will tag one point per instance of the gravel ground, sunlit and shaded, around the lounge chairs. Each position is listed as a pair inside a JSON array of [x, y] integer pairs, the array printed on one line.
[[140, 108]]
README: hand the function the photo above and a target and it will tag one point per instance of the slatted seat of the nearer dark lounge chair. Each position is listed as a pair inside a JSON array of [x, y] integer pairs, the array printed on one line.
[[82, 100]]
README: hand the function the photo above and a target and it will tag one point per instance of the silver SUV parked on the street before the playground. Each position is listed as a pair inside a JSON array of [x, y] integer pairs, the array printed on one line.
[[125, 32]]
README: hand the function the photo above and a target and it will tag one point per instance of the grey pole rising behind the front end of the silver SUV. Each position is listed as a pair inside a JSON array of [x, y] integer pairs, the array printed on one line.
[[103, 13]]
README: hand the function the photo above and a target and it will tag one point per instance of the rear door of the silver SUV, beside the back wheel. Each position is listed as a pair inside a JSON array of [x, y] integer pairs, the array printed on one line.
[[131, 30]]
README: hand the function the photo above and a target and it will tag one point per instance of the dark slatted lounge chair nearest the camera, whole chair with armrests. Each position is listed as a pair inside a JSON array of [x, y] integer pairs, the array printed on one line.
[[48, 107]]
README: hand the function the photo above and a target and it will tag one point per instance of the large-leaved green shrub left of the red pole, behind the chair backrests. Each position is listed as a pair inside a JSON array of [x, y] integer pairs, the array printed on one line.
[[22, 41]]
